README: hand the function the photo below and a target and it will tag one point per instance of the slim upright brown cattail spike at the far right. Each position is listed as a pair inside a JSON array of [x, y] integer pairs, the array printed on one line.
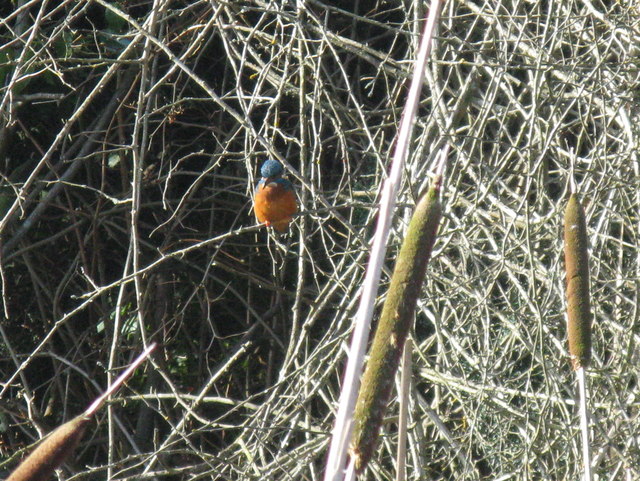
[[577, 267]]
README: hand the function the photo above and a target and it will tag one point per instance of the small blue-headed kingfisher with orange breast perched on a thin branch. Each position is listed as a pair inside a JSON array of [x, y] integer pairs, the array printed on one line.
[[275, 200]]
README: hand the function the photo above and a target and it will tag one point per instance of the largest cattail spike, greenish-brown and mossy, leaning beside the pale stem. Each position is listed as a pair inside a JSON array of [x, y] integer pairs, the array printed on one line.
[[395, 321]]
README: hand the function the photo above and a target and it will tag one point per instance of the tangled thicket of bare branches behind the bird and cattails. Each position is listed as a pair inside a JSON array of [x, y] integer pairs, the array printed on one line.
[[130, 138]]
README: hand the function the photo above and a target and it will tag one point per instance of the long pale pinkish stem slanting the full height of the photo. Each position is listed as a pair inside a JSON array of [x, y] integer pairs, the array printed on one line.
[[341, 433]]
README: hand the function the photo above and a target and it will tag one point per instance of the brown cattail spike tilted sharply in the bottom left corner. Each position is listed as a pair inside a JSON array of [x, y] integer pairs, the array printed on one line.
[[51, 452]]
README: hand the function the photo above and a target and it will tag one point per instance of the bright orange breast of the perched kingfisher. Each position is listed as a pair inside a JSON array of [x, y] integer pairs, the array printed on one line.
[[275, 204]]
